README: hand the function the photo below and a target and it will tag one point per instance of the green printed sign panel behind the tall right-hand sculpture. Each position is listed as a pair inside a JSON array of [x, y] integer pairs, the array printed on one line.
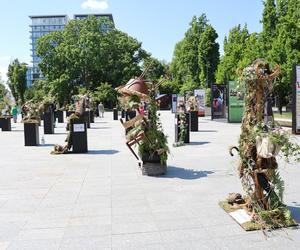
[[236, 102]]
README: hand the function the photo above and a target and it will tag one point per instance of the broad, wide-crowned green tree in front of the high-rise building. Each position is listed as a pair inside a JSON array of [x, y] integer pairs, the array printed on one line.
[[84, 54]]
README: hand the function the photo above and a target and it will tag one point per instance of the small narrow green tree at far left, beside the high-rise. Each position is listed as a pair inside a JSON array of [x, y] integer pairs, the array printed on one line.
[[17, 80]]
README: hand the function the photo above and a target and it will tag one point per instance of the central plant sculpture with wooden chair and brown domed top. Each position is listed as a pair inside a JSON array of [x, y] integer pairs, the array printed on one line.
[[147, 130]]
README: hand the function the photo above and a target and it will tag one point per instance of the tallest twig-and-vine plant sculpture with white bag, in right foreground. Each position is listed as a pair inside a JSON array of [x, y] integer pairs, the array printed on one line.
[[261, 140]]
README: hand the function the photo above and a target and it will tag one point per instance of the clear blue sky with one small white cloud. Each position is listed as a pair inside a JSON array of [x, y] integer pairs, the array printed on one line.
[[158, 24]]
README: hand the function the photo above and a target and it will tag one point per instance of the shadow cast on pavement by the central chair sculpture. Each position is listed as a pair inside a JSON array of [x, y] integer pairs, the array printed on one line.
[[187, 174]]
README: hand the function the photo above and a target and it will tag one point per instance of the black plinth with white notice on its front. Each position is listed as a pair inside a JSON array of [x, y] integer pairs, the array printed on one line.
[[79, 136]]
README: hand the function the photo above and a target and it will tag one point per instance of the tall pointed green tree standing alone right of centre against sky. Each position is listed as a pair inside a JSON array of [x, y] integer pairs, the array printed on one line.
[[193, 53]]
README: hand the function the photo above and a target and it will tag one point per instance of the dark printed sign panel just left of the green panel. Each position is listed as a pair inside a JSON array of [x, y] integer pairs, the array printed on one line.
[[218, 101]]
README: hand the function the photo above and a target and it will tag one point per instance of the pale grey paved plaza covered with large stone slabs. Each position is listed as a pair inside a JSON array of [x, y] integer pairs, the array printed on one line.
[[100, 200]]
